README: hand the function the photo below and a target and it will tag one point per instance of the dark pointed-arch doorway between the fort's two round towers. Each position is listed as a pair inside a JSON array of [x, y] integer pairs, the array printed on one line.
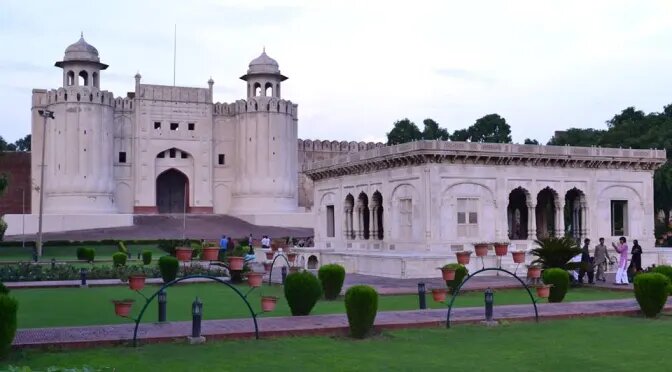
[[171, 191]]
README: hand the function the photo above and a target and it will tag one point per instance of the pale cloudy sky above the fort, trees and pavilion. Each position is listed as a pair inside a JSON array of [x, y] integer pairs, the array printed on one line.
[[355, 67]]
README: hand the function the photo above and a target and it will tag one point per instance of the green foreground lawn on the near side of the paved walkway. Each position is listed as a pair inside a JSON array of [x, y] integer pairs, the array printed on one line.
[[595, 344]]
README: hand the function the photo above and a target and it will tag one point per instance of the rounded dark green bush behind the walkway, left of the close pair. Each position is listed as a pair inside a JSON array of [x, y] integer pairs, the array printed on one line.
[[302, 290]]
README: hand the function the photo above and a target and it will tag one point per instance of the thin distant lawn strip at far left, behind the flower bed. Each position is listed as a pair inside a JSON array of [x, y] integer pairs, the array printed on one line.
[[70, 252]]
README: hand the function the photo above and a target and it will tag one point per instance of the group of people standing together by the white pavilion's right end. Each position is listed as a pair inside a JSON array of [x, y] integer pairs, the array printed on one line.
[[601, 257]]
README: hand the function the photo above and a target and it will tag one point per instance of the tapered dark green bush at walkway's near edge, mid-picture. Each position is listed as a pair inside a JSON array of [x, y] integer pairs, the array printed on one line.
[[361, 306]]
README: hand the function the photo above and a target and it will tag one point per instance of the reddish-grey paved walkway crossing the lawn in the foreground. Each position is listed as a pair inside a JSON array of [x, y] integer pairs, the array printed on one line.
[[307, 325]]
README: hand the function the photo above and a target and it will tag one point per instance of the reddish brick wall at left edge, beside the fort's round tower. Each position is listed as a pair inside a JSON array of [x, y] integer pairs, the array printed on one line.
[[17, 167]]
